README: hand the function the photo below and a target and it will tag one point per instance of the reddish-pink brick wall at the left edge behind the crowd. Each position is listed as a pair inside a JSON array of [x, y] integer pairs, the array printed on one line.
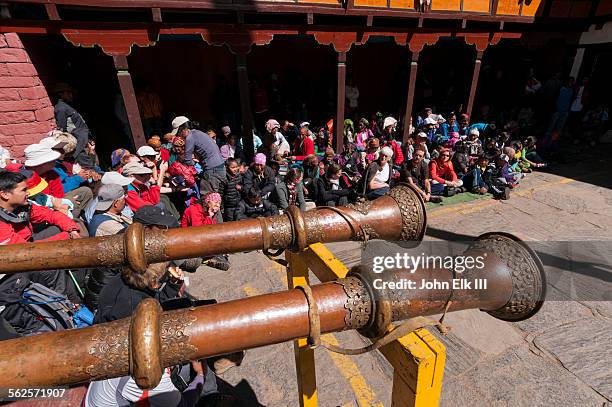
[[26, 113]]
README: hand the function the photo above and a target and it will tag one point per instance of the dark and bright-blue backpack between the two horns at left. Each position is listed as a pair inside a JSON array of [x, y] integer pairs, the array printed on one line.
[[53, 309]]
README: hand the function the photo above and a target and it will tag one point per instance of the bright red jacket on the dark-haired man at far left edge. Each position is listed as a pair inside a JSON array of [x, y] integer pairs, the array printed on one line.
[[13, 233]]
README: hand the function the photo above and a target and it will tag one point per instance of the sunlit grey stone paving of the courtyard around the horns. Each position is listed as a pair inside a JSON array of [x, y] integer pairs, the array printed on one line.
[[561, 357]]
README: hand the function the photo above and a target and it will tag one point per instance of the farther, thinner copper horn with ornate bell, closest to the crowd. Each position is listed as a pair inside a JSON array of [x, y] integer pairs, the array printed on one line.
[[399, 215]]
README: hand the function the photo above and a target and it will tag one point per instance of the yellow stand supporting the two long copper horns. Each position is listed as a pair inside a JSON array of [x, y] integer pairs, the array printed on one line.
[[417, 358]]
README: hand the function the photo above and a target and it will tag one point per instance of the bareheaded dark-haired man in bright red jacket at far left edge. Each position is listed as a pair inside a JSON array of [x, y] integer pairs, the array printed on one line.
[[19, 218]]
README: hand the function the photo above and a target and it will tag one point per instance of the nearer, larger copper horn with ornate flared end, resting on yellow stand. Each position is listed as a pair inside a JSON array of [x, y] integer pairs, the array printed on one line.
[[152, 339]]
